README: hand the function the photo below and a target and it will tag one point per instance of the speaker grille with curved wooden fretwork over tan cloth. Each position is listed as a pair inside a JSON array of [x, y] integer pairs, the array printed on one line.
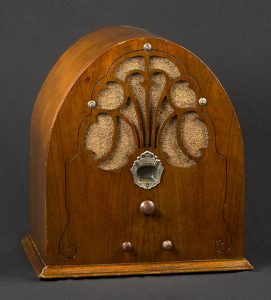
[[151, 112]]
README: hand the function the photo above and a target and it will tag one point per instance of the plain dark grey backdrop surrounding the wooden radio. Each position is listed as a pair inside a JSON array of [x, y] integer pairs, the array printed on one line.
[[232, 37]]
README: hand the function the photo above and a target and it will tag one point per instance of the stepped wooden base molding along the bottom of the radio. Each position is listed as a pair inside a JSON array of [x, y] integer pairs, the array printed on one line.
[[72, 271]]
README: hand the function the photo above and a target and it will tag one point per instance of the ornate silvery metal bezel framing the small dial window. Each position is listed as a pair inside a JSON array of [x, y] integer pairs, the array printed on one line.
[[147, 159]]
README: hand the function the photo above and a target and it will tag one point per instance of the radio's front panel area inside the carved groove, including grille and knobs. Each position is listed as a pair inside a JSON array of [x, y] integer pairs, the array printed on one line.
[[148, 137]]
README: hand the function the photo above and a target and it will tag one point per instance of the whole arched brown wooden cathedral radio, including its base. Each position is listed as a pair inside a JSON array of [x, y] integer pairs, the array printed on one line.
[[137, 163]]
